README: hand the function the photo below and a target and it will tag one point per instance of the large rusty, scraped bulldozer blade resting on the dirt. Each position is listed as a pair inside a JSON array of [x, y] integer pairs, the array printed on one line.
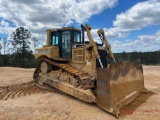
[[118, 85]]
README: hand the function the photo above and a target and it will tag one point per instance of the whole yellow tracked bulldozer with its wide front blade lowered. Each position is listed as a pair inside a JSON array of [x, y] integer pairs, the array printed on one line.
[[80, 68]]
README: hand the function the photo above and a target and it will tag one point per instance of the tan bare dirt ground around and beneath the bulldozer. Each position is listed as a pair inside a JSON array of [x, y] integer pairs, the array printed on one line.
[[48, 105]]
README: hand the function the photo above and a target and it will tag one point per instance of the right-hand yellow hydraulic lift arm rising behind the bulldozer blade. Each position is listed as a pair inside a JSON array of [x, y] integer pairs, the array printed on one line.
[[104, 40]]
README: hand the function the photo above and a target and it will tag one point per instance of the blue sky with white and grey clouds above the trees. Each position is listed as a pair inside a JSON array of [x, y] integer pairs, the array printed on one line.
[[130, 25]]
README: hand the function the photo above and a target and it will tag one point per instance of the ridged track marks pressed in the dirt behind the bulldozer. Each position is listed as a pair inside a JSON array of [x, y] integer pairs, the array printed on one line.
[[18, 90]]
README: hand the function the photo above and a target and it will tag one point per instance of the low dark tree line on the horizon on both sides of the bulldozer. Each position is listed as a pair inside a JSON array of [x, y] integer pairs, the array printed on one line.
[[15, 59]]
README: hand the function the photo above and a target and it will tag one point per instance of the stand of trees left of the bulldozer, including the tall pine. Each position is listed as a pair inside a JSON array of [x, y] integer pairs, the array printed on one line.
[[18, 51]]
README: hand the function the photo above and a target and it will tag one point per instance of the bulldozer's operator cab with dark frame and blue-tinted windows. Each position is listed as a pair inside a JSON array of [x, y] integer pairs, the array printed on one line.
[[65, 38]]
